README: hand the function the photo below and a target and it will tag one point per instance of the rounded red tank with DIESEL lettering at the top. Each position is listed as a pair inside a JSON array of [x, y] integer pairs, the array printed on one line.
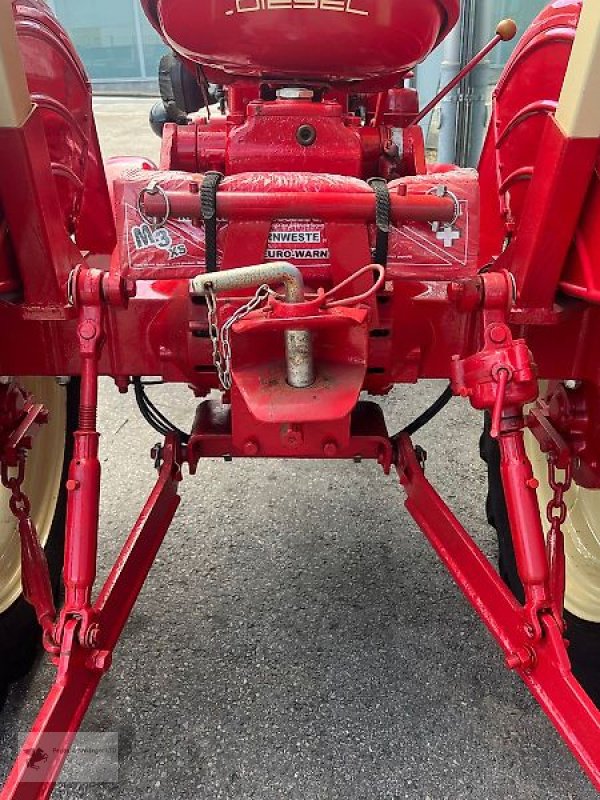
[[331, 41]]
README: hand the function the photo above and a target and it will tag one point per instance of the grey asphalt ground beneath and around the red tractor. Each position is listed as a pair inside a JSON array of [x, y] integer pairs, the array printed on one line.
[[297, 637]]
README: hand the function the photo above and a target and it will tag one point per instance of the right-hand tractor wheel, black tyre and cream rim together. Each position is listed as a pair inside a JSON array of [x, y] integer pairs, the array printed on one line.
[[582, 549]]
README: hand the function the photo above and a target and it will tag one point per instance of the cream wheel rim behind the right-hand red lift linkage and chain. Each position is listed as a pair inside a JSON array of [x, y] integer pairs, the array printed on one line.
[[582, 539]]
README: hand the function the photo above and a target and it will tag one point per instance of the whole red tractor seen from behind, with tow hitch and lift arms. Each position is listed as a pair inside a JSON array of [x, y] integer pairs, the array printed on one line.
[[287, 258]]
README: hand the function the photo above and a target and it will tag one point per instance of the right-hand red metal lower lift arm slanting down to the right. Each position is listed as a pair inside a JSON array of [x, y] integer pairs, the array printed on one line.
[[543, 664]]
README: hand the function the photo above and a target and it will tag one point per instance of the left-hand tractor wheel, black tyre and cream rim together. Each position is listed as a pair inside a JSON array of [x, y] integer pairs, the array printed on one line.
[[46, 472]]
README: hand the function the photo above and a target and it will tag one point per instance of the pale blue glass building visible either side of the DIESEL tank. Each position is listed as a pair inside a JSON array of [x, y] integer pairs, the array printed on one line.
[[121, 52]]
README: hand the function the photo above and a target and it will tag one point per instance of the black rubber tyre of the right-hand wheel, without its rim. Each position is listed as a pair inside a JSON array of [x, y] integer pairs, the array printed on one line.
[[583, 635]]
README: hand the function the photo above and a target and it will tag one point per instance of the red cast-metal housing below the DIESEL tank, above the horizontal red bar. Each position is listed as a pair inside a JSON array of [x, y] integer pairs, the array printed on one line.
[[390, 145]]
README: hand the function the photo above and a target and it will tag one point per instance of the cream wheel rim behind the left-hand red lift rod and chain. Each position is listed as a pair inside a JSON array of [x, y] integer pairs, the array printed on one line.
[[42, 485]]
